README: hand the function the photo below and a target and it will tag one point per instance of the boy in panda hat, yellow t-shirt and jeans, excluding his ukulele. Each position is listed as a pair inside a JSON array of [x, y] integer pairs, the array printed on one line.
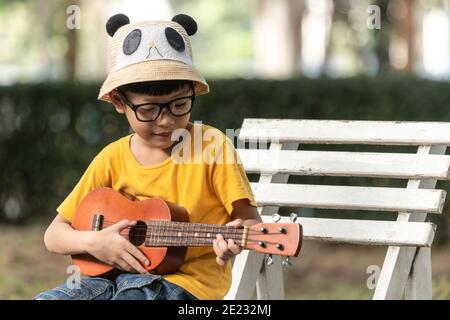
[[154, 84]]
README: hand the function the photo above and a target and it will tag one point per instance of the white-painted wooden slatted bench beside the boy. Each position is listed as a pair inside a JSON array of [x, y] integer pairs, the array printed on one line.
[[406, 272]]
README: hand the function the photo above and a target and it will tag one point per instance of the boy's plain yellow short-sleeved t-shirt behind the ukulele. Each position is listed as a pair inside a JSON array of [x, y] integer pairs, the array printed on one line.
[[205, 188]]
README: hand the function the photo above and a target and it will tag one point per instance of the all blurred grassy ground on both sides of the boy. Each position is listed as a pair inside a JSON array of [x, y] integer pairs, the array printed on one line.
[[322, 271]]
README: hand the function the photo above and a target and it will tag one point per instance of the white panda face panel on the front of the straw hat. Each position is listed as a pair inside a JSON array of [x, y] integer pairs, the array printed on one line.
[[153, 42]]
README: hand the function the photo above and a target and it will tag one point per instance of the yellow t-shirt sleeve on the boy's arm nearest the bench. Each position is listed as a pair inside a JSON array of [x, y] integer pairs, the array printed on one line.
[[229, 179]]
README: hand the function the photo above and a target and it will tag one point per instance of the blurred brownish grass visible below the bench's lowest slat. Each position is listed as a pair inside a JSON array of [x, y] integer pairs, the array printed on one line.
[[331, 271]]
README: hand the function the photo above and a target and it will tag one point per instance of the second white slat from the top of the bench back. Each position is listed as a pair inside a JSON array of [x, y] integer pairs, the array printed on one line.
[[330, 163]]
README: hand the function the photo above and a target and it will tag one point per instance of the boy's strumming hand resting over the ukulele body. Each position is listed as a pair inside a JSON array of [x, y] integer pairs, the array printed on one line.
[[110, 247]]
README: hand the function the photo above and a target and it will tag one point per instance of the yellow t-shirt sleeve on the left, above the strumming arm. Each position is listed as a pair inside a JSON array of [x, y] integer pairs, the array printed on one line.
[[96, 176]]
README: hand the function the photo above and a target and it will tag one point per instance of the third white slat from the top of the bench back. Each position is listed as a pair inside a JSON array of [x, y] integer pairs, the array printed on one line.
[[353, 198]]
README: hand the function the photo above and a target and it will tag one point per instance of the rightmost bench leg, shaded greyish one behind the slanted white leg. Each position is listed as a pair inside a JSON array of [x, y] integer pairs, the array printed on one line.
[[419, 284]]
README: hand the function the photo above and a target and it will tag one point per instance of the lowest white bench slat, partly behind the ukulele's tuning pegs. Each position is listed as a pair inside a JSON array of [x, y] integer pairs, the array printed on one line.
[[366, 232]]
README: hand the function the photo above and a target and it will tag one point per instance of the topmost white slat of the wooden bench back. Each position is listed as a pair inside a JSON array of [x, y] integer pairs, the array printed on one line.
[[347, 132]]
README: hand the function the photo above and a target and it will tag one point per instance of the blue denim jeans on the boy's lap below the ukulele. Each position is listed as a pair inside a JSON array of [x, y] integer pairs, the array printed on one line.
[[126, 286]]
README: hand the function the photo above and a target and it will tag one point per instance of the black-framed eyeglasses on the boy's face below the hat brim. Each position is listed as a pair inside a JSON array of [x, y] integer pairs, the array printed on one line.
[[147, 112]]
